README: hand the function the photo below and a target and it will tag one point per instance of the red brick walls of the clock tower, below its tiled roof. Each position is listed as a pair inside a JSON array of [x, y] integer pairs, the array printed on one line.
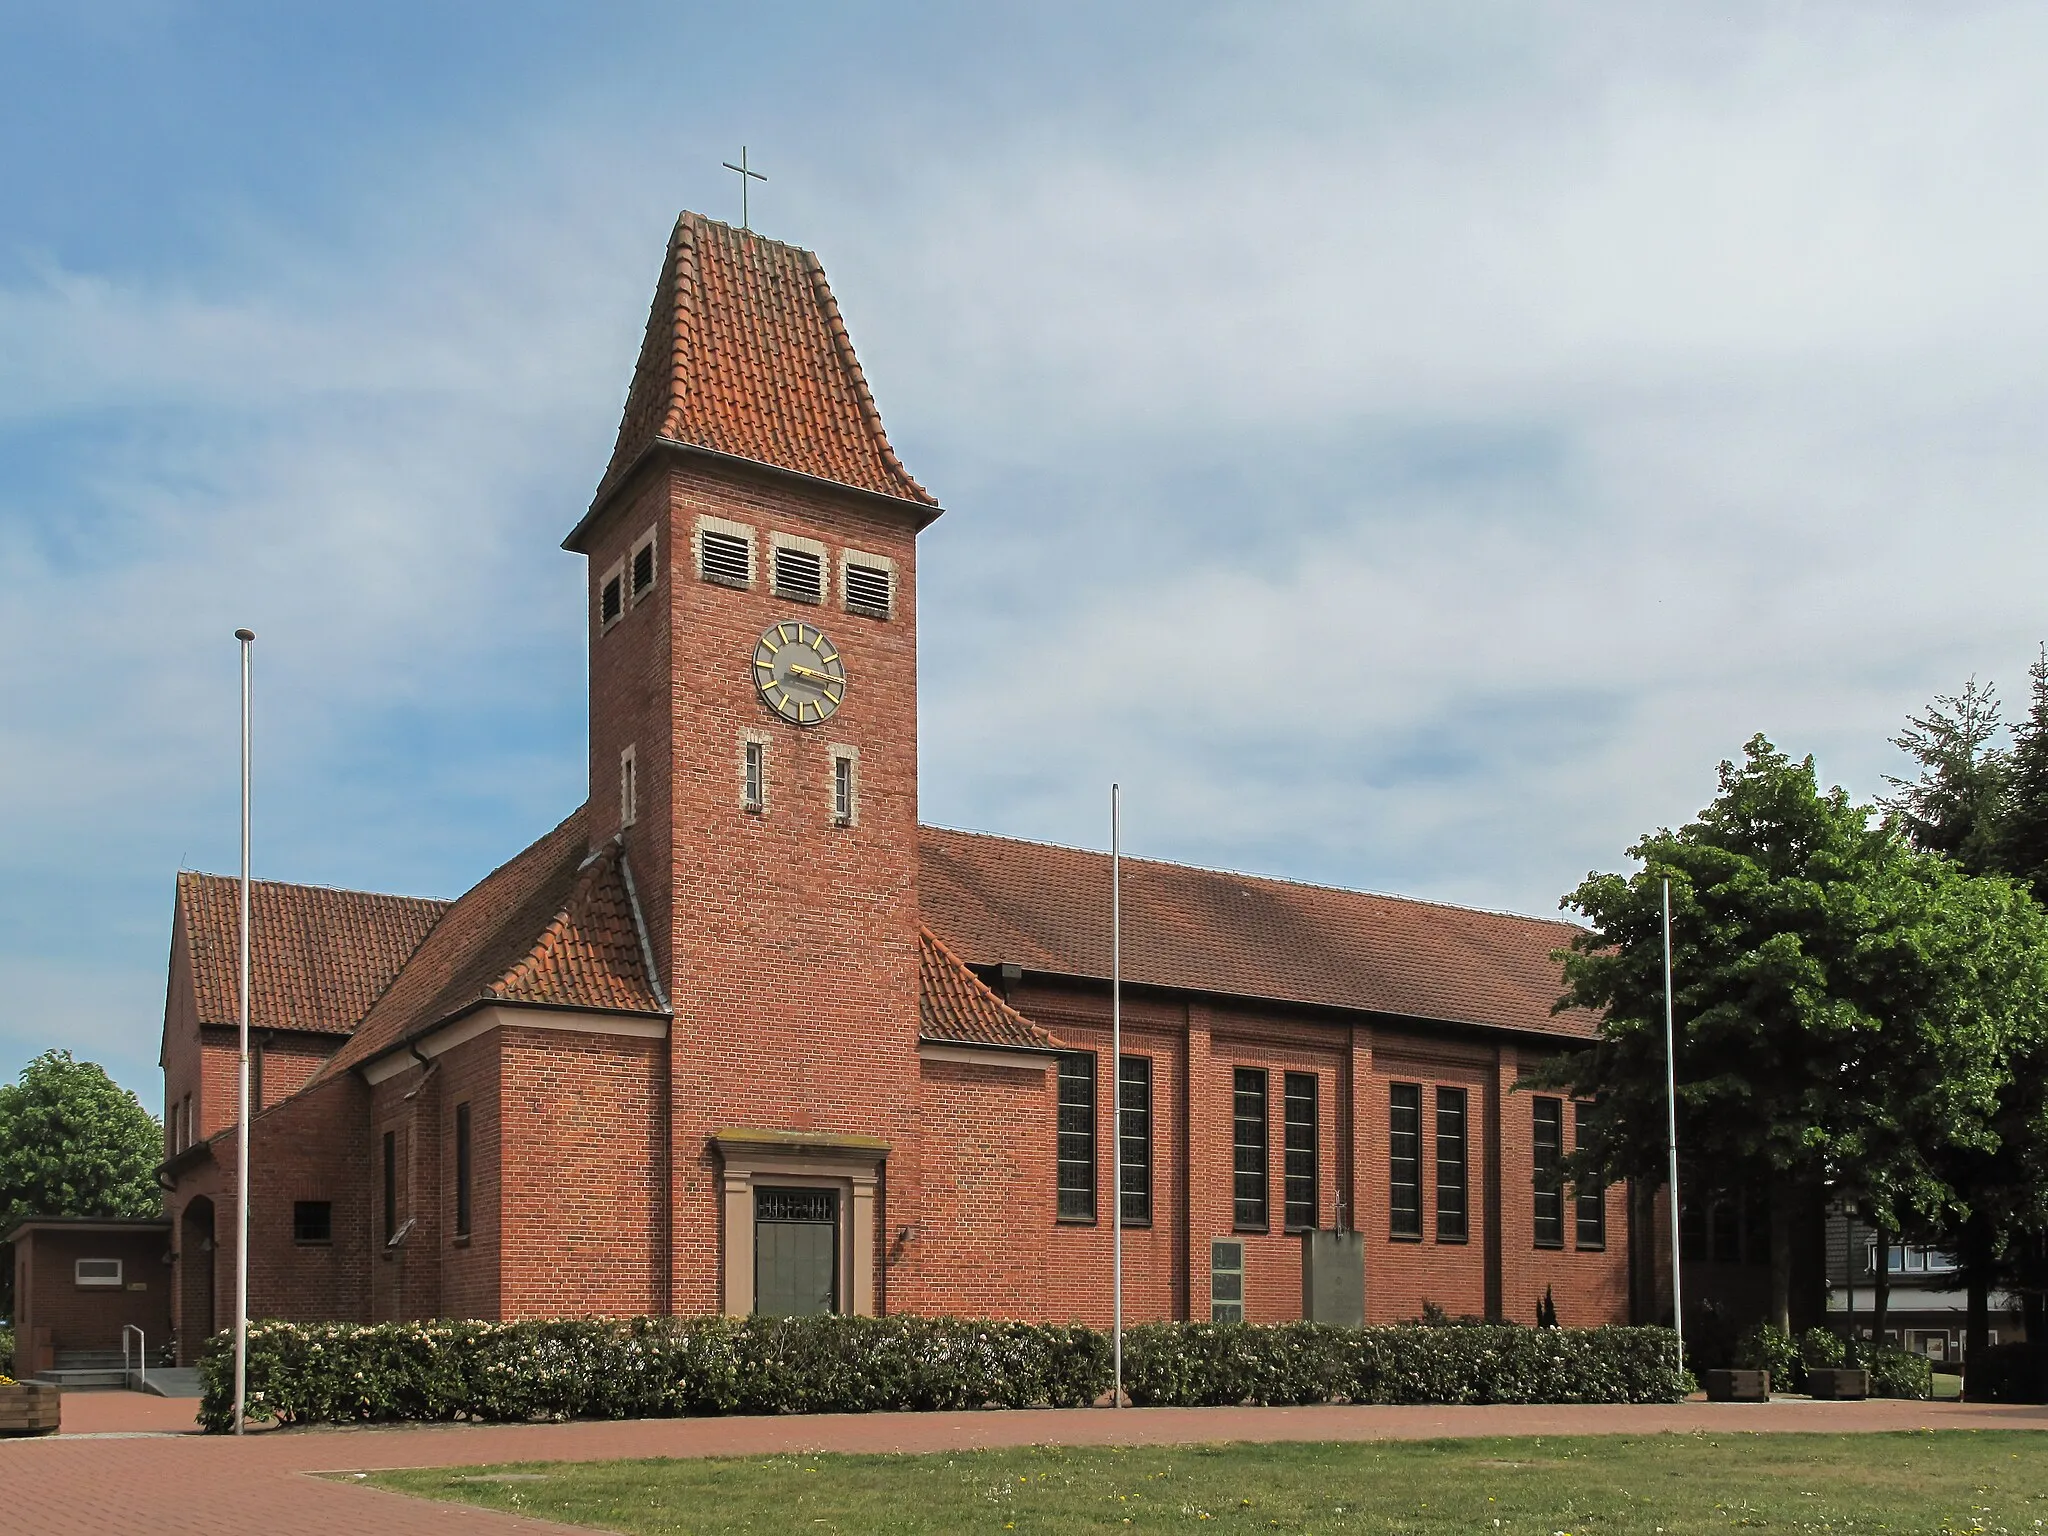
[[790, 945]]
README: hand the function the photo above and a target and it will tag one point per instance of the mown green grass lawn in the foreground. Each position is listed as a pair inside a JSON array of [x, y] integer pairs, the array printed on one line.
[[1953, 1482]]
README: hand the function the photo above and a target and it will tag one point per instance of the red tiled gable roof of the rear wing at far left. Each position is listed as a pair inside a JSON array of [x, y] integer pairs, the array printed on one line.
[[318, 957]]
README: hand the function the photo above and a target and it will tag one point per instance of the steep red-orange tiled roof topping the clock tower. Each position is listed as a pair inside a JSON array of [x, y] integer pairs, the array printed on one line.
[[746, 355]]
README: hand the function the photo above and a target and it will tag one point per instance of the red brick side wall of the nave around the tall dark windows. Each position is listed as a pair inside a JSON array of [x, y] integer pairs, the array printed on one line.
[[1195, 1050]]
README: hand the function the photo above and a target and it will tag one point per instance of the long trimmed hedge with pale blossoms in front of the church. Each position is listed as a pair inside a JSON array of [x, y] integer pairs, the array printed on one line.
[[345, 1373]]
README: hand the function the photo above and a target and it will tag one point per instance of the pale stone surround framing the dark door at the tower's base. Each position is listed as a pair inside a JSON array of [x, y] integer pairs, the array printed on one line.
[[804, 1158]]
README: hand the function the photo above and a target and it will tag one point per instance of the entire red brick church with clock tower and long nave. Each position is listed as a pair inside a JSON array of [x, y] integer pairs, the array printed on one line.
[[744, 1035]]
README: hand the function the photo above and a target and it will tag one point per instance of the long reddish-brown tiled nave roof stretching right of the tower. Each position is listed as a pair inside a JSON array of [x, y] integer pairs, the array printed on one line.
[[1048, 908]]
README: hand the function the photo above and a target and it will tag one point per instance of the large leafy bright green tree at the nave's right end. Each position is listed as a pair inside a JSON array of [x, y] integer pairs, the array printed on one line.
[[1846, 1005]]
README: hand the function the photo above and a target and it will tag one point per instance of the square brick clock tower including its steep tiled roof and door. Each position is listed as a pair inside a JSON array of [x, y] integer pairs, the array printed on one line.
[[755, 744]]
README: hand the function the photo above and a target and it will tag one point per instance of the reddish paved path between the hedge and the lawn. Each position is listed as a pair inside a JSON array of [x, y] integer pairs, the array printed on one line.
[[130, 1463]]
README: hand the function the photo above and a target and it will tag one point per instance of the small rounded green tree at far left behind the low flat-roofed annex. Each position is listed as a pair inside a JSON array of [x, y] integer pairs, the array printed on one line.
[[75, 1144]]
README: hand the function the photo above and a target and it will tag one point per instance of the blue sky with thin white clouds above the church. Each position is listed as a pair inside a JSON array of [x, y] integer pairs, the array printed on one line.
[[1586, 386]]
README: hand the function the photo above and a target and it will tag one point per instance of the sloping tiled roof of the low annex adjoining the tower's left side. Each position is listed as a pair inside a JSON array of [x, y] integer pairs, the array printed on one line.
[[552, 927]]
